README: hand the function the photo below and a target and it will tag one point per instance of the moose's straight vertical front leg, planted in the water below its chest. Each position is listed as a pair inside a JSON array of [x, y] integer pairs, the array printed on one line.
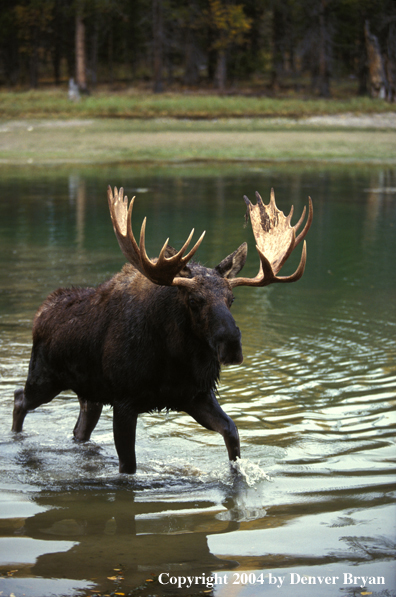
[[124, 429]]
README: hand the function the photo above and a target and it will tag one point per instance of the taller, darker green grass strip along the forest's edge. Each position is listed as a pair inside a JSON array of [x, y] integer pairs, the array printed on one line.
[[54, 103]]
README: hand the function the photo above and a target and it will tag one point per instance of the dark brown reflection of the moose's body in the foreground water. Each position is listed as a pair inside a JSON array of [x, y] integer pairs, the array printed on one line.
[[114, 531]]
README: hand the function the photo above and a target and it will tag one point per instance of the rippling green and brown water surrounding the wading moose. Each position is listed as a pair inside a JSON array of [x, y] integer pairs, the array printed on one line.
[[310, 507]]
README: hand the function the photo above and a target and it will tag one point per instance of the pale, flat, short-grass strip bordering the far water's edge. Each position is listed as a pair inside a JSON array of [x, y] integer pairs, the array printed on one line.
[[112, 141]]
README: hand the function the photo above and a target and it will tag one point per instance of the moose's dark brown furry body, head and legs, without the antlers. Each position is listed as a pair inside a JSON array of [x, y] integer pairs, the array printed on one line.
[[139, 347]]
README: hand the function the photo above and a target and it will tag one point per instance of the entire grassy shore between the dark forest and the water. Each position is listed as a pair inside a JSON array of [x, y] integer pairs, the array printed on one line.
[[44, 127]]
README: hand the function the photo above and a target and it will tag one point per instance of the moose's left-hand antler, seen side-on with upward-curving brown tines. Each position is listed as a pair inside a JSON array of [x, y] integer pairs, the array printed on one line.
[[164, 270]]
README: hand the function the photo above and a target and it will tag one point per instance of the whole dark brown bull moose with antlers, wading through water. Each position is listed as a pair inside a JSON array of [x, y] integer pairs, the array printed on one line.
[[155, 335]]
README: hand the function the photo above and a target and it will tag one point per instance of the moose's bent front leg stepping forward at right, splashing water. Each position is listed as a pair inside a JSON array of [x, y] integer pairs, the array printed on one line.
[[207, 412]]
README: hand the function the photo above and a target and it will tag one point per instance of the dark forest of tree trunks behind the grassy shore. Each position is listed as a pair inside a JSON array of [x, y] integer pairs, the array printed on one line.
[[270, 47]]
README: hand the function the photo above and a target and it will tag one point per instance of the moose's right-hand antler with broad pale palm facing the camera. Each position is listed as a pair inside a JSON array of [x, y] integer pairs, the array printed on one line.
[[276, 239]]
